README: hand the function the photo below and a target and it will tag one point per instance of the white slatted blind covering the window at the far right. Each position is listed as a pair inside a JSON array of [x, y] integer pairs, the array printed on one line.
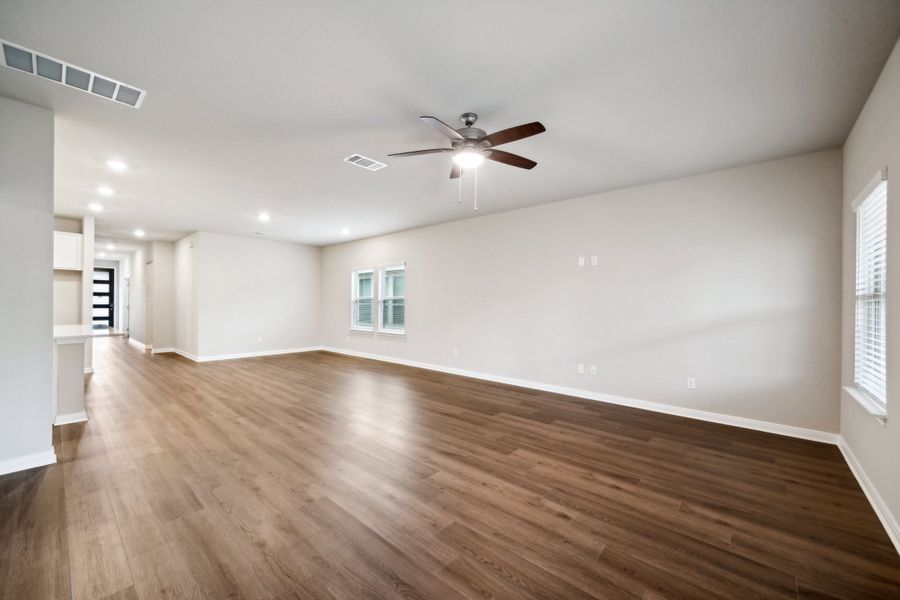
[[871, 253]]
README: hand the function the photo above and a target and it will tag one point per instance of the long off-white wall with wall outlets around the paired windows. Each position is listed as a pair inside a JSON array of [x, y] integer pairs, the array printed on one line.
[[729, 277]]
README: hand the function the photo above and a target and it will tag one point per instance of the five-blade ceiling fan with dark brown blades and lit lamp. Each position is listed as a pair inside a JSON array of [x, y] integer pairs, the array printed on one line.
[[470, 145]]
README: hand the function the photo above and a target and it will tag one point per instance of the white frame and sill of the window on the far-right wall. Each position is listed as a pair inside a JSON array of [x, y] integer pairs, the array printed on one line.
[[869, 399]]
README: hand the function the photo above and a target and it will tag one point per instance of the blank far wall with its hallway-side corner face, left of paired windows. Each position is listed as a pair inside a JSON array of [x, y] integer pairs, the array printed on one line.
[[238, 295]]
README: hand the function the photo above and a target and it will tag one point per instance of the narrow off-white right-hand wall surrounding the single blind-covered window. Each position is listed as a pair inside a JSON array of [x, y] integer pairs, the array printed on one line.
[[873, 144]]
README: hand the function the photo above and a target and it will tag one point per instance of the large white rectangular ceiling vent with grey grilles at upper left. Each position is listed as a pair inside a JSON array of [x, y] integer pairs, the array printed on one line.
[[23, 59]]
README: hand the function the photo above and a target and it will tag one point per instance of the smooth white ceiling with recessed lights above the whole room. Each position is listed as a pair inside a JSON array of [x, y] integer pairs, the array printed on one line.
[[252, 105]]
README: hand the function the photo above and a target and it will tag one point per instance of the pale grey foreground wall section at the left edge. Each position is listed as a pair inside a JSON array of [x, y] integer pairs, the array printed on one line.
[[26, 258]]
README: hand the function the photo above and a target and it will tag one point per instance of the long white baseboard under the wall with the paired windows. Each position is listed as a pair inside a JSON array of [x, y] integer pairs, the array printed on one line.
[[702, 415]]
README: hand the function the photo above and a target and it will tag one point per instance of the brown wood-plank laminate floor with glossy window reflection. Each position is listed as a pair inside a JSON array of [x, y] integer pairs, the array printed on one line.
[[322, 476]]
